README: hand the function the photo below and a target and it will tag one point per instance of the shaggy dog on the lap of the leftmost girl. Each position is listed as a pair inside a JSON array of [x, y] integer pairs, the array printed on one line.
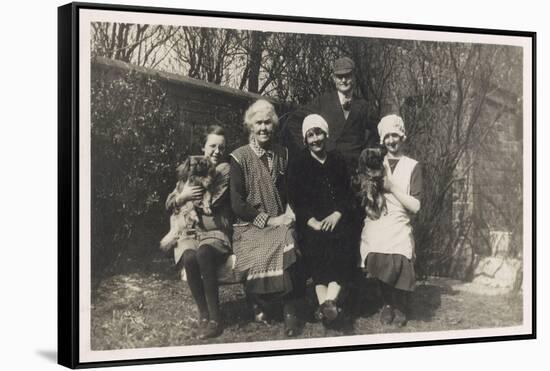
[[195, 171]]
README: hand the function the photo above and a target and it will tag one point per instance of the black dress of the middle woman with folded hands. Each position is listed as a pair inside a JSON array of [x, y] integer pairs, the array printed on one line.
[[317, 190]]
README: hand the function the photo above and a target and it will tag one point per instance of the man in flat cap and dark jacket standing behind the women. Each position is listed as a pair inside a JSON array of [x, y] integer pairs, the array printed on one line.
[[346, 115]]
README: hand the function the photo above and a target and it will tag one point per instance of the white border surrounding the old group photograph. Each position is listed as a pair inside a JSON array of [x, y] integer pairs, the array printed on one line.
[[86, 15]]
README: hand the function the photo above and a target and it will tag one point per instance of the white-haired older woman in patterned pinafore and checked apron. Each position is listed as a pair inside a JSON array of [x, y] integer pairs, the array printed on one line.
[[263, 236]]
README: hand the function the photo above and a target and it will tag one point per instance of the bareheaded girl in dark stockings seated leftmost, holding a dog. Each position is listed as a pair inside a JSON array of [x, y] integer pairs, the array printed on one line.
[[201, 255]]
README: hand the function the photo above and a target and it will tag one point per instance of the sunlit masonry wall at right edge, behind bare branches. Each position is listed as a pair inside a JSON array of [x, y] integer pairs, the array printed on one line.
[[489, 196]]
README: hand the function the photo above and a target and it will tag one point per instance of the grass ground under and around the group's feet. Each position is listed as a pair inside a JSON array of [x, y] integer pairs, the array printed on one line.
[[153, 308]]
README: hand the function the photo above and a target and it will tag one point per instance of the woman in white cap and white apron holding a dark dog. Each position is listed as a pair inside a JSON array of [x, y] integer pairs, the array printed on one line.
[[387, 243]]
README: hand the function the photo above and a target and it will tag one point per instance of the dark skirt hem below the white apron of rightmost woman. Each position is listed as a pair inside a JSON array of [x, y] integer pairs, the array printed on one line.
[[394, 269]]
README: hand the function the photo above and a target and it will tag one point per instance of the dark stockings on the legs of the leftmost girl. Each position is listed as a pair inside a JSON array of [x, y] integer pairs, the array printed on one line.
[[200, 267]]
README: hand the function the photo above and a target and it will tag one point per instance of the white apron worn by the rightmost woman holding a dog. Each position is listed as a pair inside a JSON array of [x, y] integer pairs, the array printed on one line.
[[392, 232]]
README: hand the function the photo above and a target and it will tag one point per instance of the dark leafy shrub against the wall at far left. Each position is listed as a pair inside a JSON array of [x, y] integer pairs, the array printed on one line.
[[136, 140]]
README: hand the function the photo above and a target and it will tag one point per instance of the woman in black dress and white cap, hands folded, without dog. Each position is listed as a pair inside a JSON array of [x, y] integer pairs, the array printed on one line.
[[321, 199]]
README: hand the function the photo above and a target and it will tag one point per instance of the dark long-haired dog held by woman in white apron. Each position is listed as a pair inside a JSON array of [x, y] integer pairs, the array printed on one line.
[[370, 181]]
